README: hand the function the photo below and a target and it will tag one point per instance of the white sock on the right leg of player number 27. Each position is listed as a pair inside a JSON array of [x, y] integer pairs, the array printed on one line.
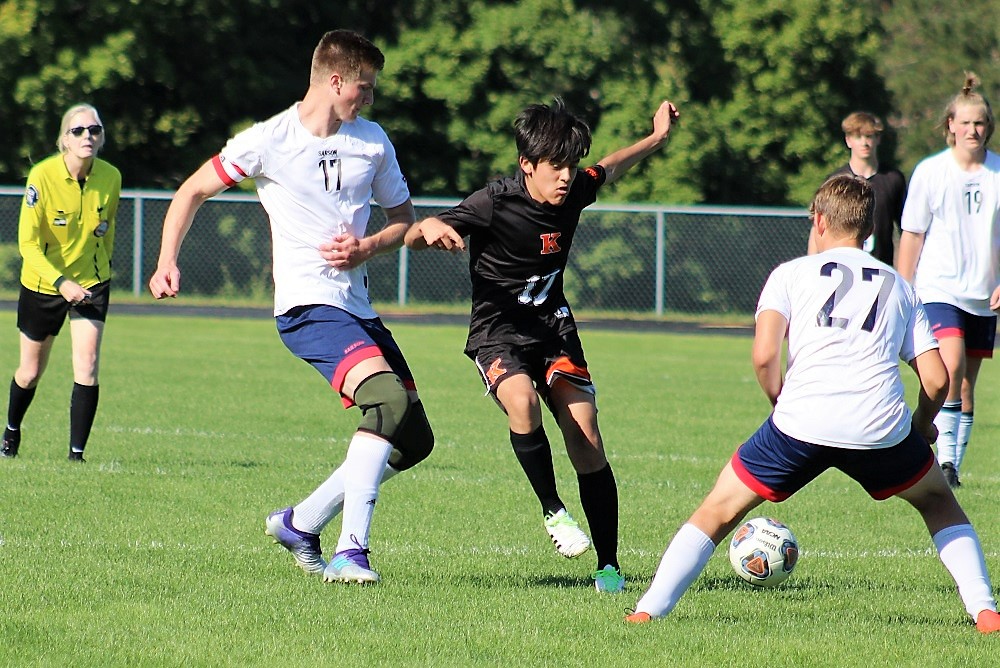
[[960, 552]]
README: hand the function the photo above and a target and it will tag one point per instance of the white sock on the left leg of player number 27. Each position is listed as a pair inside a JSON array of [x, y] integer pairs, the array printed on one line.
[[681, 564]]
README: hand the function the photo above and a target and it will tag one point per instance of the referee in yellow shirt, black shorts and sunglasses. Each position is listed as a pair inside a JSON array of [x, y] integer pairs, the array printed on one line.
[[66, 237]]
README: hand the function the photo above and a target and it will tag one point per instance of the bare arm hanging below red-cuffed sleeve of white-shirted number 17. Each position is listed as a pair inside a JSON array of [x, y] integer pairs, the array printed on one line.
[[200, 186]]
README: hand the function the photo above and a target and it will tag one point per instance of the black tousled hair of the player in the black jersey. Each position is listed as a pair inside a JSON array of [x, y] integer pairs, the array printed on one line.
[[553, 134]]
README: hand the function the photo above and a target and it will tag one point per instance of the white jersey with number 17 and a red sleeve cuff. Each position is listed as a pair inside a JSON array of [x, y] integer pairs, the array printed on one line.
[[314, 188]]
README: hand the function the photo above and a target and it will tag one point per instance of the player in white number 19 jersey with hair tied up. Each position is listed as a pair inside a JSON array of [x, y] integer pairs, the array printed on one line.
[[950, 251]]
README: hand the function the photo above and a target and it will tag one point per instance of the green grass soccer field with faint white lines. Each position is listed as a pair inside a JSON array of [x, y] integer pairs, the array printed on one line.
[[153, 553]]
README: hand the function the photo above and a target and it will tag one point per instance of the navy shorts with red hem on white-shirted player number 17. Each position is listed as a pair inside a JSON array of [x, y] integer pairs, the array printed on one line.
[[333, 341]]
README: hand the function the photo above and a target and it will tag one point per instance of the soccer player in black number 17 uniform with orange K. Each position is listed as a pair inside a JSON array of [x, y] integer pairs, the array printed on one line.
[[522, 335]]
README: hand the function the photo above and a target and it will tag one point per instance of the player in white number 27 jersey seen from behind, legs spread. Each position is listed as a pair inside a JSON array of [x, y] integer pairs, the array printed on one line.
[[849, 319]]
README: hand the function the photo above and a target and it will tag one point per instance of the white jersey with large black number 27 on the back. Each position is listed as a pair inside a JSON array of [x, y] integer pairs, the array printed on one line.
[[851, 319]]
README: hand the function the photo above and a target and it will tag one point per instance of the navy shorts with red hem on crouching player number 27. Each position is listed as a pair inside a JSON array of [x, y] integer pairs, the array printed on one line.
[[775, 465]]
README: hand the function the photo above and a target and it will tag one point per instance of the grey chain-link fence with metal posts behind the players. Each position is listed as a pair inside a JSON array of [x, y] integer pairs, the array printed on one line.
[[626, 259]]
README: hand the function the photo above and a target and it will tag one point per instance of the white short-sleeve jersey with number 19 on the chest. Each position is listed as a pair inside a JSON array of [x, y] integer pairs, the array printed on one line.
[[959, 214]]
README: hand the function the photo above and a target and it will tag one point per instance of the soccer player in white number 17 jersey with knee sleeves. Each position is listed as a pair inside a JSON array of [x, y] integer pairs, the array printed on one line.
[[317, 165]]
